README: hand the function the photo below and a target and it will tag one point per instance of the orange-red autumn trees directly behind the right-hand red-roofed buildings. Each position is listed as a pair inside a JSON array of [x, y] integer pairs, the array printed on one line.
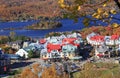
[[105, 31]]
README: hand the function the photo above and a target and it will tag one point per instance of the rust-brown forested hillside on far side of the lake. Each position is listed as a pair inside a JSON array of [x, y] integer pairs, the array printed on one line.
[[17, 10]]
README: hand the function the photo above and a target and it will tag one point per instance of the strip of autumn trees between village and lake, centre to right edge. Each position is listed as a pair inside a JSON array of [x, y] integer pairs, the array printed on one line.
[[102, 30]]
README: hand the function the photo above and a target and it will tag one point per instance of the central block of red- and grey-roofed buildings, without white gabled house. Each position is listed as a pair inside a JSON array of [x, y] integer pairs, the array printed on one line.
[[61, 46]]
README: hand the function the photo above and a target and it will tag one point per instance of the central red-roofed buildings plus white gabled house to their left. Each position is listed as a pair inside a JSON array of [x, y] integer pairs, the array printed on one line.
[[55, 46]]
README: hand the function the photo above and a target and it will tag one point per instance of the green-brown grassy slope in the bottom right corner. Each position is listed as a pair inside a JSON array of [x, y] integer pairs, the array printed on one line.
[[99, 70]]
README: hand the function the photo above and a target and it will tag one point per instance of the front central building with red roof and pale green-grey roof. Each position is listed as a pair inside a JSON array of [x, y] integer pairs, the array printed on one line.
[[55, 51]]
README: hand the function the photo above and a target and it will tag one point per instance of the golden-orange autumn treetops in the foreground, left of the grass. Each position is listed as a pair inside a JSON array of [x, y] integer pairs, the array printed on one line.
[[37, 71]]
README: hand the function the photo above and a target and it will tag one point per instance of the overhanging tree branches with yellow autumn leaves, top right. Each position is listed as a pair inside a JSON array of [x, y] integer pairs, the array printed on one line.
[[90, 10]]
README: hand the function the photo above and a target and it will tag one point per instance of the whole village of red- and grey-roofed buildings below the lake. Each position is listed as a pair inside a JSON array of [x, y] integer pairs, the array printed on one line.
[[68, 46]]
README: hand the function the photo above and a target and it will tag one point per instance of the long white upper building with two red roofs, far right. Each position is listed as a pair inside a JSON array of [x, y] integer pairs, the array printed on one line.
[[95, 39]]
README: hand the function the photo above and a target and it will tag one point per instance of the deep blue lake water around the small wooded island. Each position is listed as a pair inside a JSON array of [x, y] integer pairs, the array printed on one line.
[[68, 25]]
